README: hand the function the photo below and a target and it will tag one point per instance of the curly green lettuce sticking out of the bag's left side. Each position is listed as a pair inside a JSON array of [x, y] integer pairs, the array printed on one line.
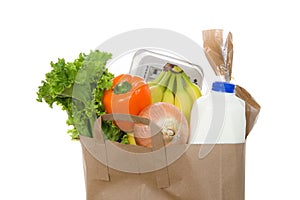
[[78, 87]]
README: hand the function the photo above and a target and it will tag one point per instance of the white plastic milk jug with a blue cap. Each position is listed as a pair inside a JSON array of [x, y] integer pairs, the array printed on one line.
[[219, 117]]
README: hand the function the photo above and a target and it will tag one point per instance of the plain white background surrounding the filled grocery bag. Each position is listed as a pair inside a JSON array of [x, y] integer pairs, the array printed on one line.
[[38, 160]]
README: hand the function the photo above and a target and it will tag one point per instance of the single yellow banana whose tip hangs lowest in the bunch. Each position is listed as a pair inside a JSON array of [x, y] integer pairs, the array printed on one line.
[[182, 98]]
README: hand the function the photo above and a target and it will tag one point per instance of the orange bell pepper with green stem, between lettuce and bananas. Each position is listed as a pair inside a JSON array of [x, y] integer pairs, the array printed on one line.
[[128, 95]]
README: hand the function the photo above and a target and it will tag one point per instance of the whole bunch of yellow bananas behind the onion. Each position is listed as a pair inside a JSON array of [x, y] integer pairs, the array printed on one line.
[[174, 86]]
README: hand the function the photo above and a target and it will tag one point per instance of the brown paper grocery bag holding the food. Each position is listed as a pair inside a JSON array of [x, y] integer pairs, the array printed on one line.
[[165, 173]]
